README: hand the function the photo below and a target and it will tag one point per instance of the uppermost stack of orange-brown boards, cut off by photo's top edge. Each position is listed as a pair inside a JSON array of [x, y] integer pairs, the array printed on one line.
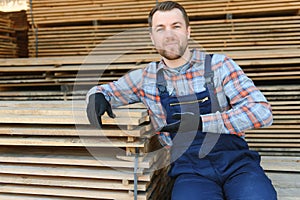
[[47, 13]]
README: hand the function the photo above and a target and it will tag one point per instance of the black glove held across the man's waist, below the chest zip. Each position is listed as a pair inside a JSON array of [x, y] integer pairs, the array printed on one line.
[[187, 121]]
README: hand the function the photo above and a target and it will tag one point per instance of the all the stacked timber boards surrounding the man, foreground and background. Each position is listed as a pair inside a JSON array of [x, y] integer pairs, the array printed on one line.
[[48, 150]]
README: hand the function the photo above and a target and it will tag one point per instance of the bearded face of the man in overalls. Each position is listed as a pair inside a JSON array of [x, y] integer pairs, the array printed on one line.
[[169, 33]]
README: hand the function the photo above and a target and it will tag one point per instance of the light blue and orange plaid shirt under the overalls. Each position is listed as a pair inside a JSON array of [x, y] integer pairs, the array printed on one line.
[[243, 106]]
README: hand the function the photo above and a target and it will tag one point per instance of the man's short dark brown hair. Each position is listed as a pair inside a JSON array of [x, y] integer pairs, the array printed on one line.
[[167, 6]]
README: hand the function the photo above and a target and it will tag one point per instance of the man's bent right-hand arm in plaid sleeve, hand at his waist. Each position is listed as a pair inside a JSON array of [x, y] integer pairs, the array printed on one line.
[[249, 107]]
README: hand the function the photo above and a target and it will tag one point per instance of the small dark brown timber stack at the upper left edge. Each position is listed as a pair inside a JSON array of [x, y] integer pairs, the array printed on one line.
[[8, 47]]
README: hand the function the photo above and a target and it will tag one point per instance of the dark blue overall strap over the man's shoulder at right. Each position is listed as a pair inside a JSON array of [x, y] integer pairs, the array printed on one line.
[[209, 82]]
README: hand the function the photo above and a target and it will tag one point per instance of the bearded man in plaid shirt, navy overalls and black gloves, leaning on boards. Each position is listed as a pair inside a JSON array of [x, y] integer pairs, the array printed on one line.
[[187, 113]]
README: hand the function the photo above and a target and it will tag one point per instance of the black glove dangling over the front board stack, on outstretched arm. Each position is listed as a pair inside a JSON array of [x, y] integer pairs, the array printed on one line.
[[96, 107]]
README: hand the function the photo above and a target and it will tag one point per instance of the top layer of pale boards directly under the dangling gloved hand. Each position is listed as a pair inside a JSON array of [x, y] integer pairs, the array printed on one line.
[[66, 115]]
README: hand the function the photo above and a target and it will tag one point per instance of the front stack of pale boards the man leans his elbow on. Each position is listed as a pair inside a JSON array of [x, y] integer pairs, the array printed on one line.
[[49, 149]]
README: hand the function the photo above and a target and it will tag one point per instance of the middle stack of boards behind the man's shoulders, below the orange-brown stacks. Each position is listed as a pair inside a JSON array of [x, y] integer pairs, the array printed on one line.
[[73, 73]]
